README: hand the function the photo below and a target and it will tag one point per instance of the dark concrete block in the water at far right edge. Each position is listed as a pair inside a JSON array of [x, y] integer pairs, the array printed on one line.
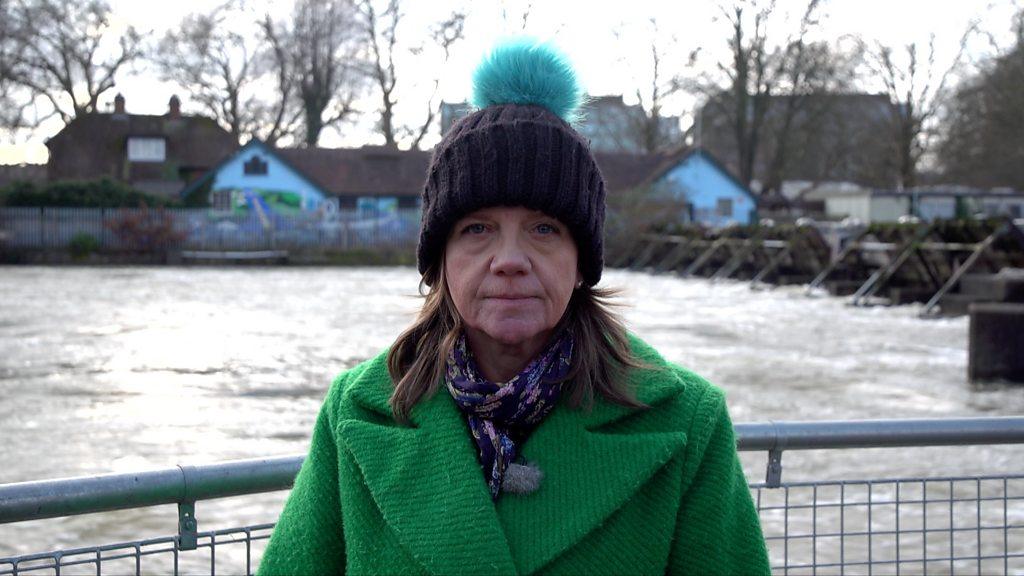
[[997, 343]]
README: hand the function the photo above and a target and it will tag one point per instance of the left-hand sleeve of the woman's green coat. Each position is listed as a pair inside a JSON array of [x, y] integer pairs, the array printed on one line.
[[309, 538]]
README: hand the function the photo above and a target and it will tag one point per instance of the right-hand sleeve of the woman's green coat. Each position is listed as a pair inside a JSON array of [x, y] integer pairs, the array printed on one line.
[[717, 530]]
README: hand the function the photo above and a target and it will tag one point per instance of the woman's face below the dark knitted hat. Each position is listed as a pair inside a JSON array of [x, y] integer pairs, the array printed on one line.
[[511, 273]]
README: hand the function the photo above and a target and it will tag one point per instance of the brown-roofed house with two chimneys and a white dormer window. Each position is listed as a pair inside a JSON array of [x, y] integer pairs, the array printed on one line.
[[155, 154]]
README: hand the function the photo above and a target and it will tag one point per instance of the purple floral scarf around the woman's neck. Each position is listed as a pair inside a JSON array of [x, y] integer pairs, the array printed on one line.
[[501, 417]]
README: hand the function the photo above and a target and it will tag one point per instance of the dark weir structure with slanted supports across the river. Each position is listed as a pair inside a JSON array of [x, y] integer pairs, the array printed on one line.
[[892, 264]]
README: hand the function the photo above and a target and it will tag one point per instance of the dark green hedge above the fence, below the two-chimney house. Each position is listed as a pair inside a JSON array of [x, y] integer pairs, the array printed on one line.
[[80, 194]]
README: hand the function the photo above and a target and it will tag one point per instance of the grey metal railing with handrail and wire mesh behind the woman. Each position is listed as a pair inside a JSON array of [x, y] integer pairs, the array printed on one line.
[[972, 524]]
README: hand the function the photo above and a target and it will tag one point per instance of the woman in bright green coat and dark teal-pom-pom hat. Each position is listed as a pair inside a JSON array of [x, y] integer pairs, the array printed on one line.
[[598, 456]]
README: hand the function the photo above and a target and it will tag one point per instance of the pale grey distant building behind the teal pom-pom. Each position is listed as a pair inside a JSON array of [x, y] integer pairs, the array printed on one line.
[[609, 125]]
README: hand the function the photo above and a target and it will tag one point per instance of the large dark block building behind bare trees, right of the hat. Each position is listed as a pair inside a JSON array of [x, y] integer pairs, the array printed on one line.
[[832, 138]]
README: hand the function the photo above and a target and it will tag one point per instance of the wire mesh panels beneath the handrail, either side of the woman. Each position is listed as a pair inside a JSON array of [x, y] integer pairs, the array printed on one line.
[[964, 525]]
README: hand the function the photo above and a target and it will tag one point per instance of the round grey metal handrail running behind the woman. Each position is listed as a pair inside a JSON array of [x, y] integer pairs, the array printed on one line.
[[53, 499]]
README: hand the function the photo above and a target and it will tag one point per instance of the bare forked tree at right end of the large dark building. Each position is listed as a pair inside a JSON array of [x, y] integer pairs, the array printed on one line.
[[918, 89]]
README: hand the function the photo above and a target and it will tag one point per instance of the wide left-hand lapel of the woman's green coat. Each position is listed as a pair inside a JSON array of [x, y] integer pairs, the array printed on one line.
[[428, 481]]
